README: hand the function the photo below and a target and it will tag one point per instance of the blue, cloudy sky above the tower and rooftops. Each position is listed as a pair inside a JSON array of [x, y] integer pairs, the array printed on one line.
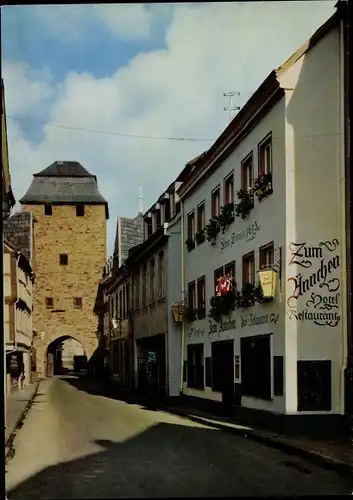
[[123, 70]]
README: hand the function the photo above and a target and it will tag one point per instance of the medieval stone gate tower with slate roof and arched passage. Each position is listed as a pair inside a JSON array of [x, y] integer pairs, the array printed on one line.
[[70, 252]]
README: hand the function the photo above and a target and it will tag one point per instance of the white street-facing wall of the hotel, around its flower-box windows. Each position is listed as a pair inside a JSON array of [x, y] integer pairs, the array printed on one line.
[[205, 259]]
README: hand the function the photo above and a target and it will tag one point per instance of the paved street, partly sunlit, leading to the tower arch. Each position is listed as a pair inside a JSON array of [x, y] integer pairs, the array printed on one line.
[[75, 444]]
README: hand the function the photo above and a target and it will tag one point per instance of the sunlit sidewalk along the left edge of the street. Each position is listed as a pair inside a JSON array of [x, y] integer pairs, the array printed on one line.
[[16, 404]]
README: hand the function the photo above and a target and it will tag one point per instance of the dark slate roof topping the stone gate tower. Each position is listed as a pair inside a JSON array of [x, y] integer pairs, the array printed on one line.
[[64, 182]]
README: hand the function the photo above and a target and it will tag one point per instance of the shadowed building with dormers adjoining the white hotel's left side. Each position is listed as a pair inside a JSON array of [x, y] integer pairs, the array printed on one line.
[[155, 267]]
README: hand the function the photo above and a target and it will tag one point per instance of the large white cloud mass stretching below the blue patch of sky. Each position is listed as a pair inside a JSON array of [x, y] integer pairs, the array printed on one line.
[[210, 49]]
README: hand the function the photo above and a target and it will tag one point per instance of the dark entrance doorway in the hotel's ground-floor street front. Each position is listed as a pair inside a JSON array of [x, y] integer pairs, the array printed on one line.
[[223, 373]]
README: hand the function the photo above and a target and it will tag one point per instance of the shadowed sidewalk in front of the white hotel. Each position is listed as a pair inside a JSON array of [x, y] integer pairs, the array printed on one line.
[[335, 454]]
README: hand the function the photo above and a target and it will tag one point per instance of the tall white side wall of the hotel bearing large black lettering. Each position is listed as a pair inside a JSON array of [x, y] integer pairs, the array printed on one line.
[[315, 210]]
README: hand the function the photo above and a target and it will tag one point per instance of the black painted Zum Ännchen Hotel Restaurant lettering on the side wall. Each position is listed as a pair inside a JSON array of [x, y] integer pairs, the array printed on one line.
[[320, 287]]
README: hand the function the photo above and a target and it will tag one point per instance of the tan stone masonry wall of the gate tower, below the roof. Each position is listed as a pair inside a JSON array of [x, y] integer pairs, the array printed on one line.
[[84, 240]]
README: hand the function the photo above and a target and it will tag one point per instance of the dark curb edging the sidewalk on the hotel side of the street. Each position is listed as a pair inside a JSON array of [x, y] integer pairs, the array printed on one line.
[[321, 460]]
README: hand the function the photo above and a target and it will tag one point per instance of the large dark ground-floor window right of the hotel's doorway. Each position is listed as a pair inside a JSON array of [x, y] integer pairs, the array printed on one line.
[[256, 366]]
